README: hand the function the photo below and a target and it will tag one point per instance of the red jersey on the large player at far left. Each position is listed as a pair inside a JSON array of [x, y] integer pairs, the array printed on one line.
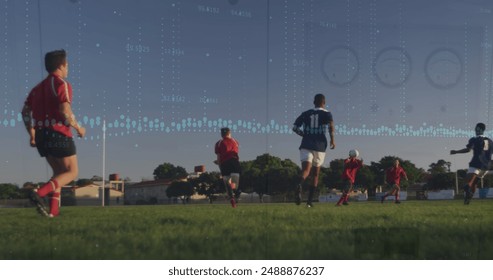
[[44, 101]]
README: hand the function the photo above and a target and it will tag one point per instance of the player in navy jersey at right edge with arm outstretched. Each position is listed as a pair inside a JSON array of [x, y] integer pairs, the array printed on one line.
[[479, 165]]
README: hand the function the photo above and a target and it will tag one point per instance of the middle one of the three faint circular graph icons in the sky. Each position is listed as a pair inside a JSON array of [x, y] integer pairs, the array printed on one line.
[[392, 67]]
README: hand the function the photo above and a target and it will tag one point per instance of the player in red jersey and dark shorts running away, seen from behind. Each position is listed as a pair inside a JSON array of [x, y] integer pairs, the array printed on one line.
[[228, 160]]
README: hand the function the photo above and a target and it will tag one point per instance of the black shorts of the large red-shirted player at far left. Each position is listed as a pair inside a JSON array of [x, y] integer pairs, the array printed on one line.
[[53, 143]]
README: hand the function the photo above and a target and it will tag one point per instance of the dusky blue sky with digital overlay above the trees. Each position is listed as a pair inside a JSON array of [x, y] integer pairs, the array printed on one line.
[[404, 78]]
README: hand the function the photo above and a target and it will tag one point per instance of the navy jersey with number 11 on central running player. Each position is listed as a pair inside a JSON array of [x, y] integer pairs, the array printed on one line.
[[314, 123]]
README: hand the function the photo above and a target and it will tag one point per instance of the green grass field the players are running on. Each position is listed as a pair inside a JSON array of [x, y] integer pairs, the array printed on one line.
[[363, 230]]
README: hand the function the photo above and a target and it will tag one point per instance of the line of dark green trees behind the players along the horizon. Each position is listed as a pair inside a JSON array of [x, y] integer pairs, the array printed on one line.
[[271, 175]]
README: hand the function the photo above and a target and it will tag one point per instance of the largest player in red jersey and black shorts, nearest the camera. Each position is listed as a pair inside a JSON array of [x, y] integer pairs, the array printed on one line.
[[48, 118]]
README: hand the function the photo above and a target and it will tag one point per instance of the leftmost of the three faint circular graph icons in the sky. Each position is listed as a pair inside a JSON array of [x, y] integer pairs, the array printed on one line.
[[340, 65]]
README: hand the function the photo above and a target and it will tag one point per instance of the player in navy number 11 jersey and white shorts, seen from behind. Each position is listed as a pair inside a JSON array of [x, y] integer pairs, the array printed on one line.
[[312, 125]]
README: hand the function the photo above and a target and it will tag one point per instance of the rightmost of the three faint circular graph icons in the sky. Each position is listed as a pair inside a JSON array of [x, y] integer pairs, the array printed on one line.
[[443, 68]]
